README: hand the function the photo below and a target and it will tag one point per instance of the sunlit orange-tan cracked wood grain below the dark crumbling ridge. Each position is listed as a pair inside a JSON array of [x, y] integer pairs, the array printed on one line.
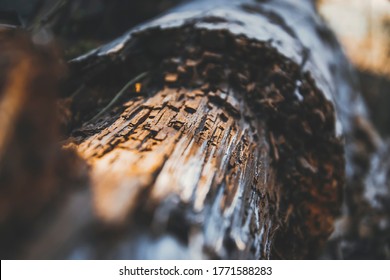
[[179, 143]]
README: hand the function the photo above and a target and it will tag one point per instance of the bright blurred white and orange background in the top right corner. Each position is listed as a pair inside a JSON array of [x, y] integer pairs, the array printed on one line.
[[363, 28]]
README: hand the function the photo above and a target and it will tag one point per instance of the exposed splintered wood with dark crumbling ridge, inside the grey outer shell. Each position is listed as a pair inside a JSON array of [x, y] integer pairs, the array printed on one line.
[[233, 159]]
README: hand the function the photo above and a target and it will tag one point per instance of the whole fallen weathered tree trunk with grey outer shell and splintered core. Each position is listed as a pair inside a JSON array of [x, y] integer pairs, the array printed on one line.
[[229, 146]]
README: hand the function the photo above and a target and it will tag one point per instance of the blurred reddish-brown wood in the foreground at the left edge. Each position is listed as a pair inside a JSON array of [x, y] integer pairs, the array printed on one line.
[[35, 174]]
